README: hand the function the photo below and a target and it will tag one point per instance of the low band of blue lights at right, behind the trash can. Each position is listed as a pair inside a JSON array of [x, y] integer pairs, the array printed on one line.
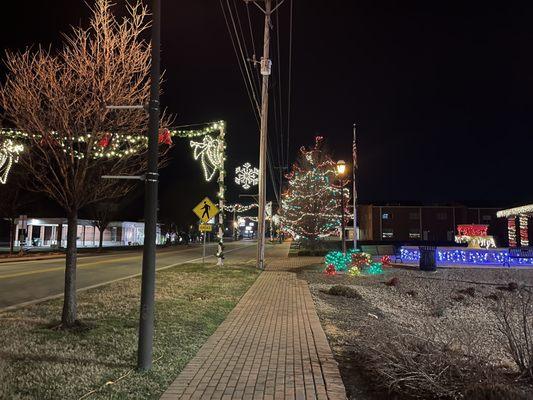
[[455, 255]]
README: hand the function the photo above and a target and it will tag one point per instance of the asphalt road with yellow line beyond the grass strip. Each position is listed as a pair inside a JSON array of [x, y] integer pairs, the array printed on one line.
[[30, 281]]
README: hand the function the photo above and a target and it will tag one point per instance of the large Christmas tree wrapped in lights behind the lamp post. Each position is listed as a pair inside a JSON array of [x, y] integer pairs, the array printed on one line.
[[311, 203]]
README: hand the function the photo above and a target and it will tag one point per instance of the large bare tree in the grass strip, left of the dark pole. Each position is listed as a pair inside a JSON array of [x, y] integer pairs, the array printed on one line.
[[58, 100]]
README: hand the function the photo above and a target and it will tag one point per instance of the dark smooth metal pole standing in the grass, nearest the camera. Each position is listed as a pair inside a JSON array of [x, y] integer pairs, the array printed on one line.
[[146, 323]]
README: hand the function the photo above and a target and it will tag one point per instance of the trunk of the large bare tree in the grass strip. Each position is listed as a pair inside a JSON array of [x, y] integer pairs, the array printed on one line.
[[70, 308]]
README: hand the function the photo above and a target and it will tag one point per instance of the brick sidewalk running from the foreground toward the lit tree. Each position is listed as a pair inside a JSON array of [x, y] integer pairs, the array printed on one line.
[[271, 346]]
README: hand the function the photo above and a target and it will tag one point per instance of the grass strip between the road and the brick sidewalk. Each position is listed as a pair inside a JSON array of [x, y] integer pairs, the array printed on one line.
[[37, 362]]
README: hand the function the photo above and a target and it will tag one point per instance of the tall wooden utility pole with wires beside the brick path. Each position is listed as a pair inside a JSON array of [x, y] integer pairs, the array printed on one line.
[[265, 72]]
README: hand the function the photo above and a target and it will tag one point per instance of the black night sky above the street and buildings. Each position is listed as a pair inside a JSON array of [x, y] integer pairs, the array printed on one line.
[[441, 91]]
